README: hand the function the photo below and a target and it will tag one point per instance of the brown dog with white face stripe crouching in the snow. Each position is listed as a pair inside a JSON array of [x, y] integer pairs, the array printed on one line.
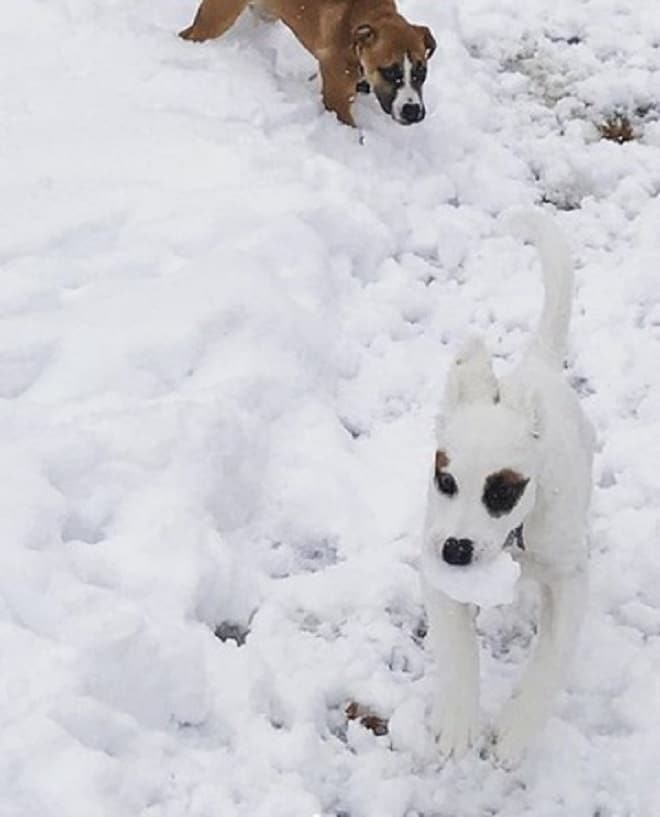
[[355, 41]]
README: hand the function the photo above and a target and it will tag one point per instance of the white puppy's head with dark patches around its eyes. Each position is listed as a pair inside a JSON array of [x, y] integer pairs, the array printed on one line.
[[483, 483]]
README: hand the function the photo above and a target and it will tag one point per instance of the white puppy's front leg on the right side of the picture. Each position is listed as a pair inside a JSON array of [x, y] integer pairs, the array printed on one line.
[[524, 715]]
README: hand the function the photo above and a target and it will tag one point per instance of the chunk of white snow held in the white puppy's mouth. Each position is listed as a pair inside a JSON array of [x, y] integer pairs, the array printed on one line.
[[486, 583]]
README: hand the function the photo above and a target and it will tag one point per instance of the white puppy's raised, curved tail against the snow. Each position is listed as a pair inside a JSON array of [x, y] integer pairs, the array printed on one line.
[[551, 339]]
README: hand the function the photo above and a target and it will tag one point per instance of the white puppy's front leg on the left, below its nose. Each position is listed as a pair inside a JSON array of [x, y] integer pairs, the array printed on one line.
[[455, 716]]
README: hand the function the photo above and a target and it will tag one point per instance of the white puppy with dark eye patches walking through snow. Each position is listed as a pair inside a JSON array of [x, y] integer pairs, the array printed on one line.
[[512, 464]]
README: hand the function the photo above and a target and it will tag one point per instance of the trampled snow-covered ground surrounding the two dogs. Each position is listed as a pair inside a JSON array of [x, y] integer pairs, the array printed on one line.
[[225, 328]]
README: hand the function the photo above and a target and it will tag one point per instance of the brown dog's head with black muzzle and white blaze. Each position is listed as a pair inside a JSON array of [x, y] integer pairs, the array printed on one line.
[[393, 56]]
